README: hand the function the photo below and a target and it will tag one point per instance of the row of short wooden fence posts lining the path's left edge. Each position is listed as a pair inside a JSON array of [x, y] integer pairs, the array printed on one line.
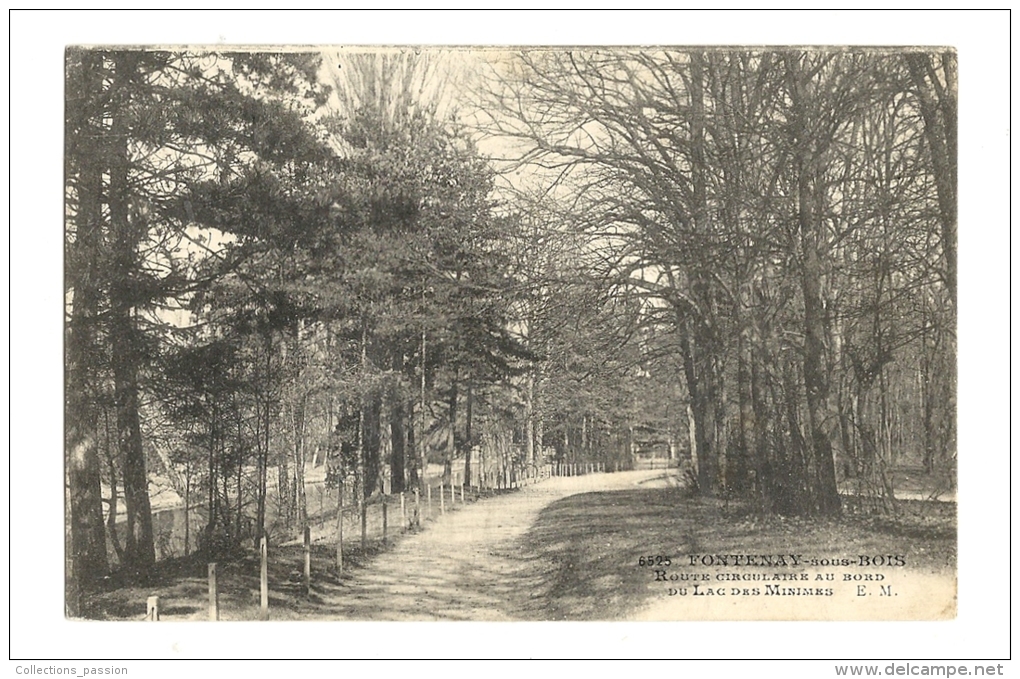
[[505, 481]]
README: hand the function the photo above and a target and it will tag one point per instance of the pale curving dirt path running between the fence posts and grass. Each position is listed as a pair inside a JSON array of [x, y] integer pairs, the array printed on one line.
[[468, 565]]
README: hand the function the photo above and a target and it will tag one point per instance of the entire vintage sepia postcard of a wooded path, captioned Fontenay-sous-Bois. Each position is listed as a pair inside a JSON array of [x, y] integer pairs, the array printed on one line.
[[535, 334]]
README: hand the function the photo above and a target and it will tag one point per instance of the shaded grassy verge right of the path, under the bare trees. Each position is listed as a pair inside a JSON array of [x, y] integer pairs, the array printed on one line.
[[589, 546]]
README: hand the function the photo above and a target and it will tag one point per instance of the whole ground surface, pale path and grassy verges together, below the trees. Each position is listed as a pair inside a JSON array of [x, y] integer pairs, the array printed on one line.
[[569, 549]]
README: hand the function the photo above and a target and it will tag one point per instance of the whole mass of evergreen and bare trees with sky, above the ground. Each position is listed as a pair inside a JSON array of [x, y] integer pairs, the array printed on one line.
[[283, 263]]
